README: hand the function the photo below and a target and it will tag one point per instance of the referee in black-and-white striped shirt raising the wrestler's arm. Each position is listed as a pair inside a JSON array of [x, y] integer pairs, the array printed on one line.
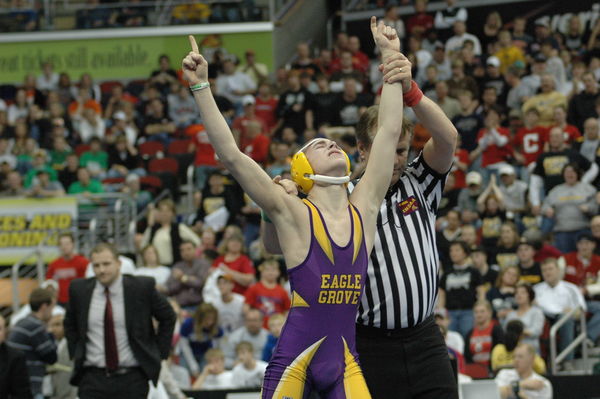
[[401, 350]]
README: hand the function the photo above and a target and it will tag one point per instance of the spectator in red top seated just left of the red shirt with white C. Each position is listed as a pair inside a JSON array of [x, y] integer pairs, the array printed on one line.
[[492, 141]]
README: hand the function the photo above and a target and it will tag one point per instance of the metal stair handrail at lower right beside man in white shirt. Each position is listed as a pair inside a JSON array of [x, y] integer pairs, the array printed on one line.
[[556, 359]]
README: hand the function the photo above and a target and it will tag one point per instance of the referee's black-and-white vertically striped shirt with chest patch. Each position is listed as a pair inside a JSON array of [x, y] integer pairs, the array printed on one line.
[[402, 277]]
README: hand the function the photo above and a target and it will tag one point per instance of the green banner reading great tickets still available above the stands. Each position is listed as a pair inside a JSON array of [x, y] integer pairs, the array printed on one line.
[[120, 58]]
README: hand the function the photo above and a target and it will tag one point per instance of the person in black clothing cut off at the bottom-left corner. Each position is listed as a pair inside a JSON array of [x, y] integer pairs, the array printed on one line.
[[14, 379]]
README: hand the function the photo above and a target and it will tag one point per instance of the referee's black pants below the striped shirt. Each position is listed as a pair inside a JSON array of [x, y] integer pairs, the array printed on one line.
[[408, 363]]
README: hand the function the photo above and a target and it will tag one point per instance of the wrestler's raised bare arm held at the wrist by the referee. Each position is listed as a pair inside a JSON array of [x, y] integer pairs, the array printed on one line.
[[371, 189]]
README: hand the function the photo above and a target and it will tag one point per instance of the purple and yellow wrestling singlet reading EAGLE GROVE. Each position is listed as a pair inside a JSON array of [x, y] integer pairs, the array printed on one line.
[[316, 350]]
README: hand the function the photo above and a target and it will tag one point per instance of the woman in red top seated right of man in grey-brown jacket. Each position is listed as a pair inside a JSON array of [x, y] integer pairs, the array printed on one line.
[[234, 263]]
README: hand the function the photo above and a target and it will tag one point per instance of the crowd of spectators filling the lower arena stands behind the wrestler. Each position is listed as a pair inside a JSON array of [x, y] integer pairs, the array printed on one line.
[[518, 225]]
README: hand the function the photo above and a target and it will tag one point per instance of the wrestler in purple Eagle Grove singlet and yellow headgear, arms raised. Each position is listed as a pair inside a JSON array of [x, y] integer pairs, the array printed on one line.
[[325, 239]]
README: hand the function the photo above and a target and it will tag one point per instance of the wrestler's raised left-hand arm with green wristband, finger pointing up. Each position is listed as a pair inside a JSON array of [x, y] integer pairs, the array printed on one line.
[[248, 173]]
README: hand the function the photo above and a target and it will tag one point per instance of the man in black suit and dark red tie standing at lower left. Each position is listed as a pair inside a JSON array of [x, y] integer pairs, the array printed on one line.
[[109, 328]]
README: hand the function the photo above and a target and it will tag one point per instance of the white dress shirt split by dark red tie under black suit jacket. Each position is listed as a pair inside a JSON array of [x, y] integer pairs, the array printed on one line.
[[95, 354]]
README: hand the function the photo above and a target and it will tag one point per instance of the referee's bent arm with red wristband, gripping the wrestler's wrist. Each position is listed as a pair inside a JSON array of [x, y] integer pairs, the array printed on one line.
[[439, 150]]
